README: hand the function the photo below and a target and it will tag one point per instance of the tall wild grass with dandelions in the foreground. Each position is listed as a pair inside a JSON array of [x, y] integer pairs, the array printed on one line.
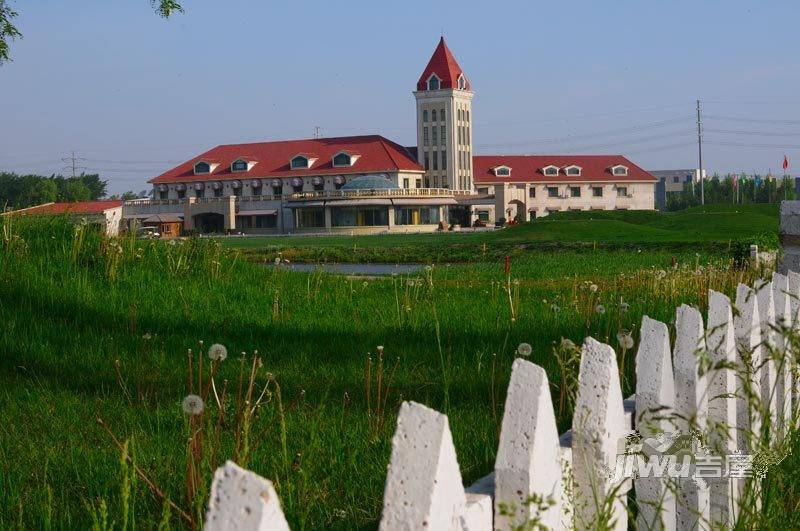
[[96, 328]]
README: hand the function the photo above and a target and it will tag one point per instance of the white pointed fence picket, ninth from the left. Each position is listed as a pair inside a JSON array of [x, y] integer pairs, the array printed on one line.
[[769, 342]]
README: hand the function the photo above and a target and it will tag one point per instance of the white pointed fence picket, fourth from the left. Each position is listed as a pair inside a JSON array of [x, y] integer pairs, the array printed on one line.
[[597, 430]]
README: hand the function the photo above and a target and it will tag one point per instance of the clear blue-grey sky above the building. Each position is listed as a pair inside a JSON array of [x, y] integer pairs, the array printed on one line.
[[133, 95]]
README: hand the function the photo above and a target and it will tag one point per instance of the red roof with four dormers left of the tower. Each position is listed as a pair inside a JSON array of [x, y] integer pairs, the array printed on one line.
[[376, 154]]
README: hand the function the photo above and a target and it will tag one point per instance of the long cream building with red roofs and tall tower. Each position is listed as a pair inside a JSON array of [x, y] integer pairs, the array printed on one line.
[[371, 184]]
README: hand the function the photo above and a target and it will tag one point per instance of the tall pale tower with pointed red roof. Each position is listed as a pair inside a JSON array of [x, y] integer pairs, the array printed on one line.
[[444, 122]]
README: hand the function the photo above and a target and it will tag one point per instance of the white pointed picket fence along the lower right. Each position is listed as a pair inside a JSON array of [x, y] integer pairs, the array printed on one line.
[[568, 481]]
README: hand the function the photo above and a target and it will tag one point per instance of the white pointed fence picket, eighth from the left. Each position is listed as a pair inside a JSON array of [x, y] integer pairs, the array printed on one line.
[[747, 325]]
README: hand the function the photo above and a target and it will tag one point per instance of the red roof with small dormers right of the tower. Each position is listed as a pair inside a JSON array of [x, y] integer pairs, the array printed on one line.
[[529, 168]]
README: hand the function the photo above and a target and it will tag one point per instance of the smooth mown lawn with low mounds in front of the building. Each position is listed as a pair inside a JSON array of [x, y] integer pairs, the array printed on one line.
[[720, 227]]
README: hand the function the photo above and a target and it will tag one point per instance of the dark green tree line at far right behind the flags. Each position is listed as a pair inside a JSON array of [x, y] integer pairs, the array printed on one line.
[[735, 189]]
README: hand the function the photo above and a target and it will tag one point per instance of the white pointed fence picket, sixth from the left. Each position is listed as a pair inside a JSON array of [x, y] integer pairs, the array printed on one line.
[[691, 408]]
